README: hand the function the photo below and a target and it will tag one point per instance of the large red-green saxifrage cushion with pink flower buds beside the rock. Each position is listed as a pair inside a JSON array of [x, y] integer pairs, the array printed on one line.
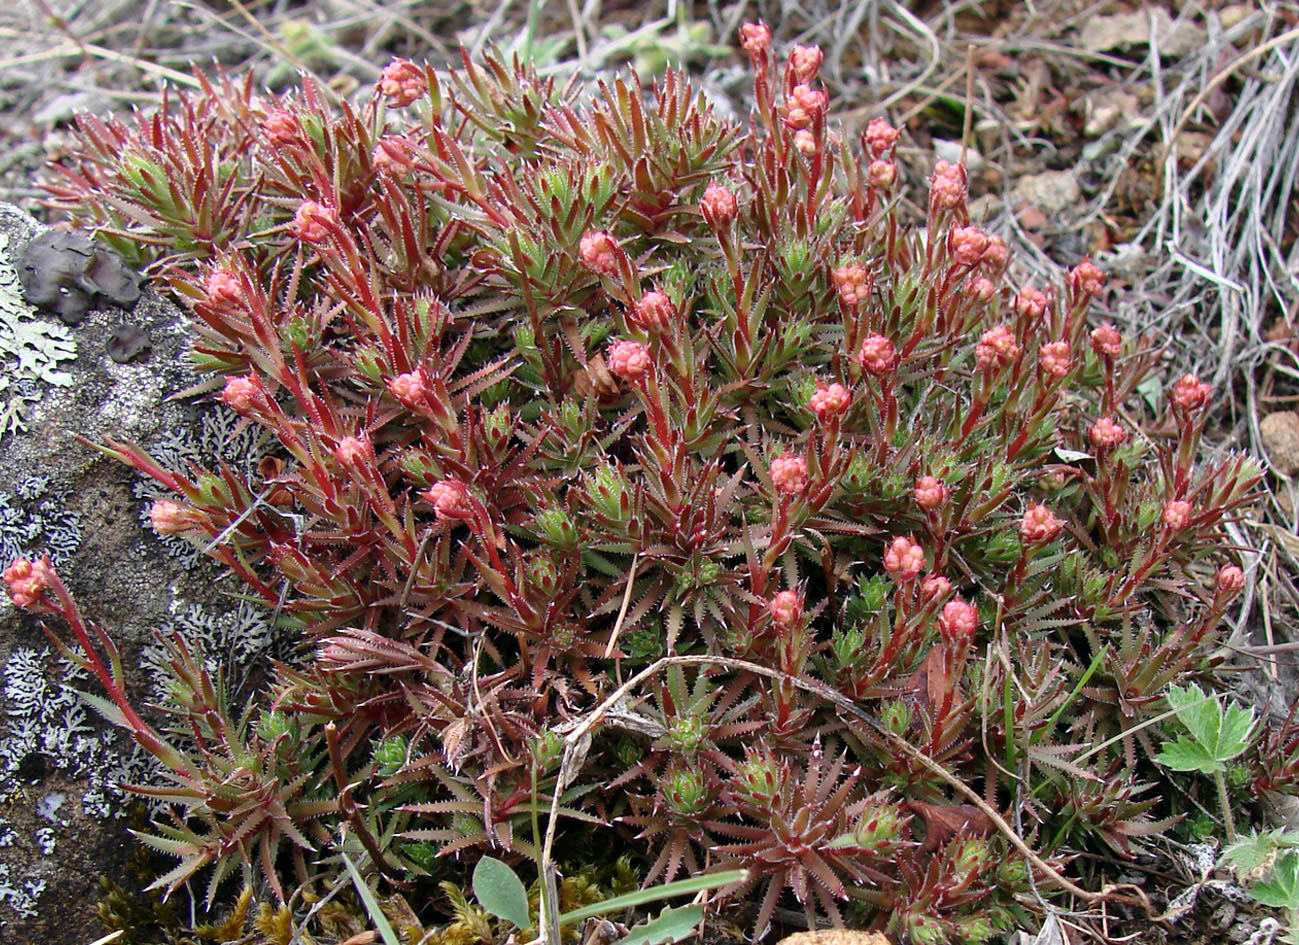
[[563, 385]]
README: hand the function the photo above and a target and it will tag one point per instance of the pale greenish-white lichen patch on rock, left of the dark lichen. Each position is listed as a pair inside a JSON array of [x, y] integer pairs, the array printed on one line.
[[32, 350]]
